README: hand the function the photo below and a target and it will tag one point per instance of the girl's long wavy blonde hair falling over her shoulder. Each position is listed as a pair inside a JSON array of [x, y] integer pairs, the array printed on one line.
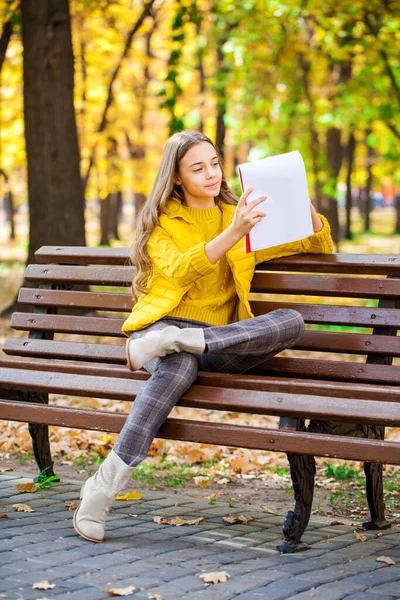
[[165, 187]]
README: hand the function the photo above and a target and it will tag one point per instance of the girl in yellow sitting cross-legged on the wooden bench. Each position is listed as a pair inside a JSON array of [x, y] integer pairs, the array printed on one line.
[[192, 308]]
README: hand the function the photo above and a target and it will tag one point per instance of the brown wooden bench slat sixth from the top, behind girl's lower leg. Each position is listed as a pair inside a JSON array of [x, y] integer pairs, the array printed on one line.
[[247, 381]]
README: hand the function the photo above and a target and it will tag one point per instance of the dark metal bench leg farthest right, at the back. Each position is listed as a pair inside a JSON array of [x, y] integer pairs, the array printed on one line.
[[374, 487]]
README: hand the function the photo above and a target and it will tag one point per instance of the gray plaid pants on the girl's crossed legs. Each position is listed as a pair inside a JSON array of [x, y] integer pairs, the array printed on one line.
[[233, 348]]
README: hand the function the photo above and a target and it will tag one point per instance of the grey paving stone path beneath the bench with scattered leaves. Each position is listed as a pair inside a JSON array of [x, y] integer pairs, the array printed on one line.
[[168, 560]]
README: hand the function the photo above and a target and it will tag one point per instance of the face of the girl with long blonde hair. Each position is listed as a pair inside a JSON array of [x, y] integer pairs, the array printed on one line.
[[200, 175]]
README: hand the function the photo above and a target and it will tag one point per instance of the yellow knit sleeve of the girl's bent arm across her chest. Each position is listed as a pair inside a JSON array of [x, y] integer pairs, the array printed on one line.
[[180, 268]]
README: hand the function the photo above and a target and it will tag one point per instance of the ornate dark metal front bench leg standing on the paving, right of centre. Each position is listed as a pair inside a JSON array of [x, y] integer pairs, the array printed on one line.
[[302, 470]]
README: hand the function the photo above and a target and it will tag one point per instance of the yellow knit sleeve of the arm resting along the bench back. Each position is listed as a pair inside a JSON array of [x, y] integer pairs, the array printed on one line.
[[319, 242]]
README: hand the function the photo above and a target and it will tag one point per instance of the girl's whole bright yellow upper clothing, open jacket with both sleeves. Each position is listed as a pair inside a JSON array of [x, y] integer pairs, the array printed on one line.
[[176, 250]]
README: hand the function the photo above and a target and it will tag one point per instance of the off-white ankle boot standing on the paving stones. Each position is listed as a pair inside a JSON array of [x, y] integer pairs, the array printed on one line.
[[97, 496]]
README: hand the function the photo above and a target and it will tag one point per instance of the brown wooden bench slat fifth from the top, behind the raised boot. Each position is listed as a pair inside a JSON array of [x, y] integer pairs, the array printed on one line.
[[296, 367]]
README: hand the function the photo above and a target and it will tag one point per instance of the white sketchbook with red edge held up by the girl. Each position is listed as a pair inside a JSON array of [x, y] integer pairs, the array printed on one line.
[[283, 180]]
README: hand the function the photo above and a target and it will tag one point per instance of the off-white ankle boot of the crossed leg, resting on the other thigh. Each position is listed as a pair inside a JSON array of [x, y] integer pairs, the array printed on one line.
[[161, 342]]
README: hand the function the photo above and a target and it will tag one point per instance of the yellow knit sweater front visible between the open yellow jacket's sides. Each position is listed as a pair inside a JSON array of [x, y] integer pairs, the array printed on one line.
[[212, 298]]
